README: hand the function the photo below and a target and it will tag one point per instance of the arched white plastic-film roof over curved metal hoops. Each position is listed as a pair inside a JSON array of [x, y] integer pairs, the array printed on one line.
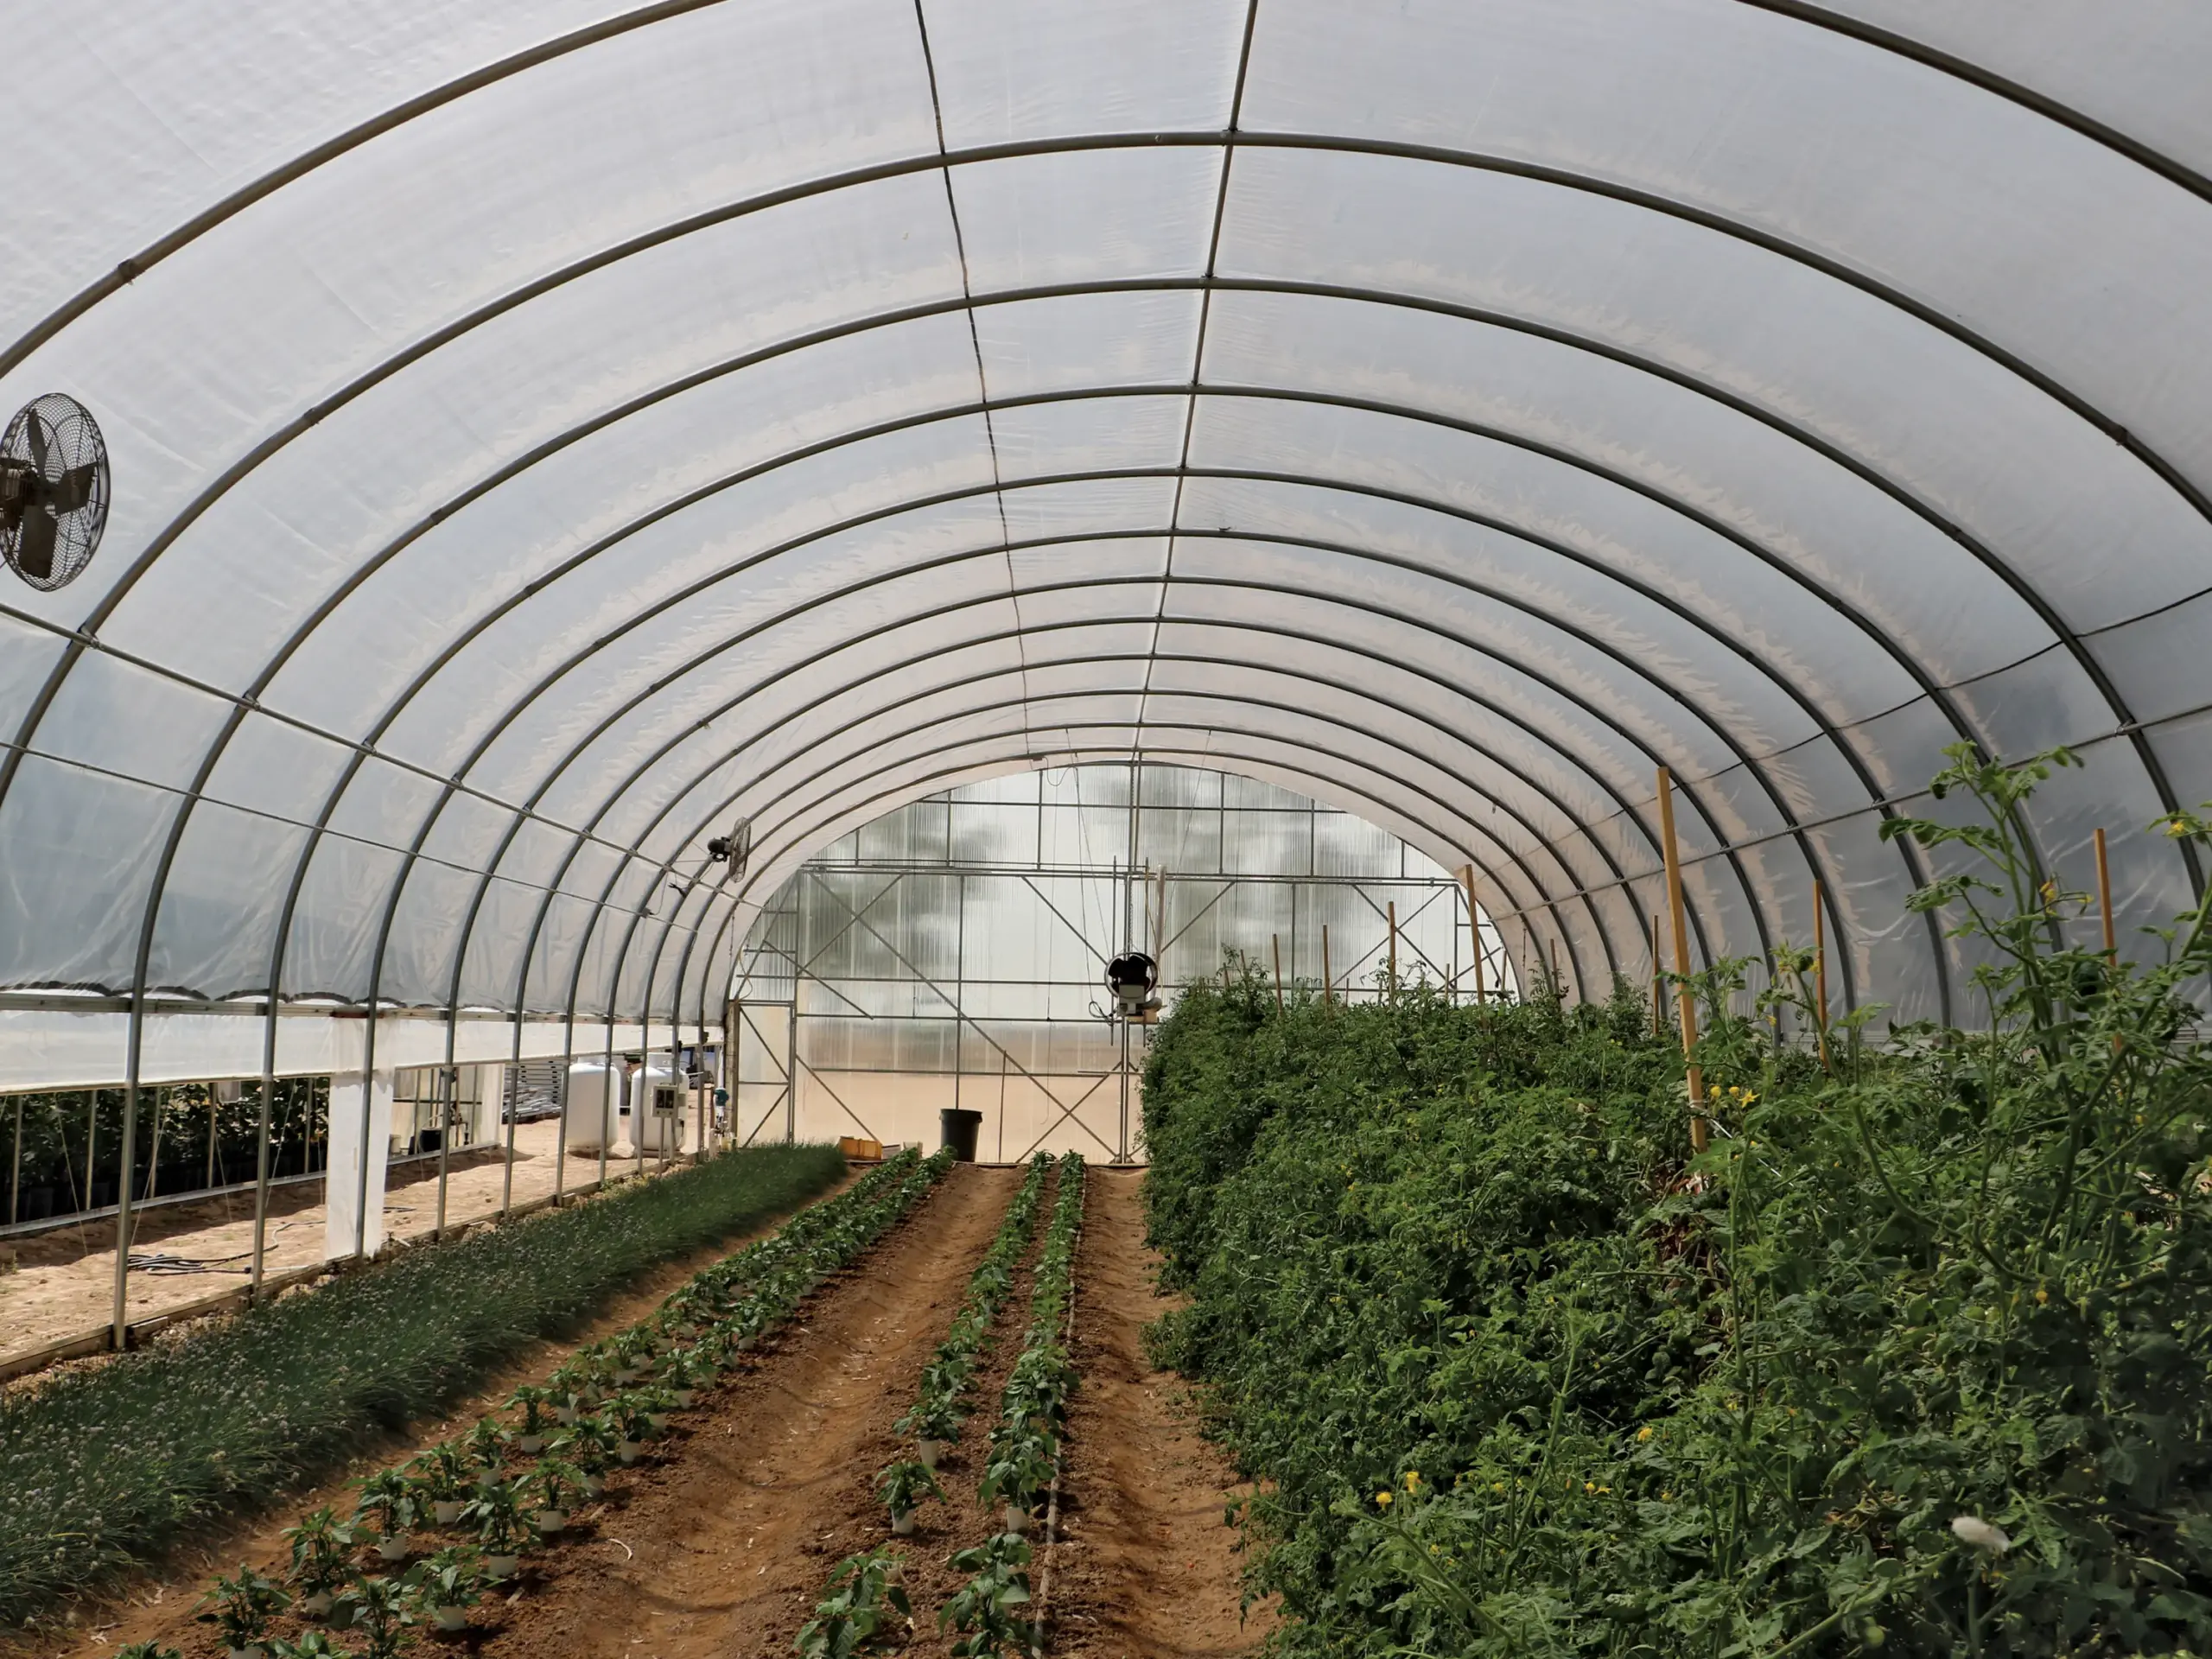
[[545, 435]]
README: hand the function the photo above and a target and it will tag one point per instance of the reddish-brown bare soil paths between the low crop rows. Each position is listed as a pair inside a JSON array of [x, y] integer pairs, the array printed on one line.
[[720, 1543]]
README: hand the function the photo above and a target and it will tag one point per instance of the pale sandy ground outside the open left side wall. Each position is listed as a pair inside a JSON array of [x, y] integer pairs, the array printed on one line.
[[63, 1282]]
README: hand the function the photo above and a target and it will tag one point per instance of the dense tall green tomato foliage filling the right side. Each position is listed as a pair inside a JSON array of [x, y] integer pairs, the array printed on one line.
[[1917, 1357]]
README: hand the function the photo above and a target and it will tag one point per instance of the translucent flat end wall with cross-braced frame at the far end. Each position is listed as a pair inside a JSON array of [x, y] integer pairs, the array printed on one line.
[[952, 954]]
